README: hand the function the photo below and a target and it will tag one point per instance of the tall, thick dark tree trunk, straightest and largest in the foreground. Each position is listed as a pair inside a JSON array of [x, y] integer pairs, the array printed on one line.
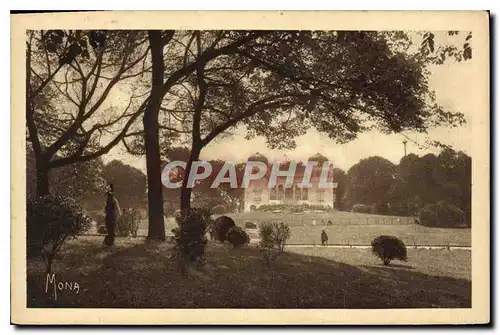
[[156, 224]]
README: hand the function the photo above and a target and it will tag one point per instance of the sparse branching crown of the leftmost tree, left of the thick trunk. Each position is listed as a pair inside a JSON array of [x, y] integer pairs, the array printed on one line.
[[78, 69]]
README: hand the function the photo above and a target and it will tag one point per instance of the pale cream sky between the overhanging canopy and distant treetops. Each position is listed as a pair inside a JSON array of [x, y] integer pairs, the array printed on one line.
[[453, 82]]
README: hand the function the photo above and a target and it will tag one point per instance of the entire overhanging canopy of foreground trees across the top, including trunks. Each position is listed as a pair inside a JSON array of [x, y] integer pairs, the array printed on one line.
[[192, 87]]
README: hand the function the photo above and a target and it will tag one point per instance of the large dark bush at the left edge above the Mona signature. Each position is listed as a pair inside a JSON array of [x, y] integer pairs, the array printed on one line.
[[51, 220]]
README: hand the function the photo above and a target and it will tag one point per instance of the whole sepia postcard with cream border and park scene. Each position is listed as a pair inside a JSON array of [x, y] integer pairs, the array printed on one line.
[[250, 168]]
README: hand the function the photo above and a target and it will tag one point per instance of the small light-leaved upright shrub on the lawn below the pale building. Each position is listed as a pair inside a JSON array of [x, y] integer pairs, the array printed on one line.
[[273, 236]]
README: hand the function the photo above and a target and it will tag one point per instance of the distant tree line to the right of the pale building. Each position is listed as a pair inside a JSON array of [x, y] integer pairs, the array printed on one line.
[[405, 189]]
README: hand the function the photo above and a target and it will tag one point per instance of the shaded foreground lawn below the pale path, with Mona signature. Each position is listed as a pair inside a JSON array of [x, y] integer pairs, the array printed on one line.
[[141, 275]]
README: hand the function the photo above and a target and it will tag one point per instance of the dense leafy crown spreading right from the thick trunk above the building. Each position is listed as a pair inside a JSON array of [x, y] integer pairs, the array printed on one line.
[[279, 84]]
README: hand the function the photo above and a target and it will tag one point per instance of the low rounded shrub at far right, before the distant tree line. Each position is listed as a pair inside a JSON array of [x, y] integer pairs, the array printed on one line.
[[442, 215]]
